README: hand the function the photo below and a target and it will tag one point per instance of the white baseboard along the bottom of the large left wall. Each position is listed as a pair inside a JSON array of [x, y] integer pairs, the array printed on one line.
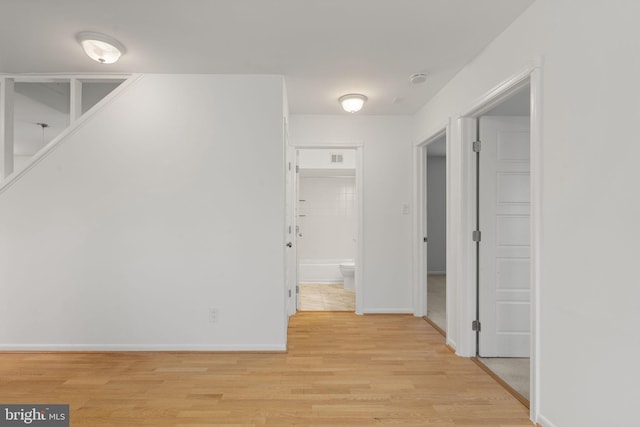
[[142, 347]]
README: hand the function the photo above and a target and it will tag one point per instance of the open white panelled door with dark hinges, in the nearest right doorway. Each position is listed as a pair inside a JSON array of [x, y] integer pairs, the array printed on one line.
[[505, 217]]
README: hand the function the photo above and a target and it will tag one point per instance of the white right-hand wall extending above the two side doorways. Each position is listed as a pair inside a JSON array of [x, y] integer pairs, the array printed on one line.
[[590, 209]]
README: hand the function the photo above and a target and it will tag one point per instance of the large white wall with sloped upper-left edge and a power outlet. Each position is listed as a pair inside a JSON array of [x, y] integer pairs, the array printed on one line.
[[149, 215]]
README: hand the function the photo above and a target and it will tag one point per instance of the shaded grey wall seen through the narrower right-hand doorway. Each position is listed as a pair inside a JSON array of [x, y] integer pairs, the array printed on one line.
[[437, 214]]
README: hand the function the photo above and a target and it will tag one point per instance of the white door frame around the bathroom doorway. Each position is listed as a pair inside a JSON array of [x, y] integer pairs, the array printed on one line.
[[359, 270]]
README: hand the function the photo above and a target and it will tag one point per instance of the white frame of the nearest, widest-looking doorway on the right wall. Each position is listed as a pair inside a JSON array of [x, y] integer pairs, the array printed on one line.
[[466, 261]]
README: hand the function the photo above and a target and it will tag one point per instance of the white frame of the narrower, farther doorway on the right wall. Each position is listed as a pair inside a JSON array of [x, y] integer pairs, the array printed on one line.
[[420, 226]]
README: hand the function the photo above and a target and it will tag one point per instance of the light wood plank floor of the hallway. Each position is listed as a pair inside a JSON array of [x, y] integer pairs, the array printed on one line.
[[340, 370]]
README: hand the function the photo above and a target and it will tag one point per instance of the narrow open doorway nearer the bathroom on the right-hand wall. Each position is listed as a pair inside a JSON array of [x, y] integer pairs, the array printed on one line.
[[436, 239]]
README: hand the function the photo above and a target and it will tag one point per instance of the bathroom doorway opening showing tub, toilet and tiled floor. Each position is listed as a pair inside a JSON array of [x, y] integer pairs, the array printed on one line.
[[327, 228]]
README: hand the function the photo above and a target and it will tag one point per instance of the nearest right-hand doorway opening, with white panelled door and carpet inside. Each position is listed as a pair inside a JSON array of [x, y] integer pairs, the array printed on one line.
[[503, 171]]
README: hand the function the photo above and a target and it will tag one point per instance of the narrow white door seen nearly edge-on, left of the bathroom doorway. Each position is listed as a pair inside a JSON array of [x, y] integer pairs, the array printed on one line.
[[290, 230]]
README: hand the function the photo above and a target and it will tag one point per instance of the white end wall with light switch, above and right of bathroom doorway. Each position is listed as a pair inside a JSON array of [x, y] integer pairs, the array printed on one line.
[[387, 186]]
